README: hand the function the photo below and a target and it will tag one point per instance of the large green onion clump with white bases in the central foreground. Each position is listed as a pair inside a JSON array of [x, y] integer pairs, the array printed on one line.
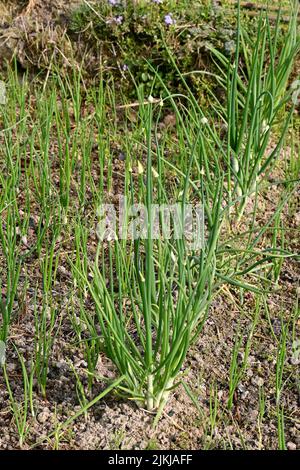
[[152, 294]]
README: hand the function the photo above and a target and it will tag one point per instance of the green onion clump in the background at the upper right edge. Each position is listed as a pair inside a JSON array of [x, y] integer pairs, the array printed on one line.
[[259, 101]]
